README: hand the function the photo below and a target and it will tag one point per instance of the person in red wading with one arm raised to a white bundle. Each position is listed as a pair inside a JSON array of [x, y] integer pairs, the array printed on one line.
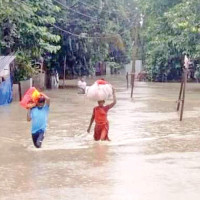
[[100, 117]]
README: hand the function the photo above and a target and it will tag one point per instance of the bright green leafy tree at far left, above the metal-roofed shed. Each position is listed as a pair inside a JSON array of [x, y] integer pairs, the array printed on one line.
[[25, 31]]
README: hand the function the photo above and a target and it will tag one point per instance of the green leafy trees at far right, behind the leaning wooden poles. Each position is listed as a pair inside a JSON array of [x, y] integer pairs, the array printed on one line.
[[170, 30]]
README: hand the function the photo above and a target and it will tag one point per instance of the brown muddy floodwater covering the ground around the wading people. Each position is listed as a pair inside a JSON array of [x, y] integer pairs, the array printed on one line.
[[152, 156]]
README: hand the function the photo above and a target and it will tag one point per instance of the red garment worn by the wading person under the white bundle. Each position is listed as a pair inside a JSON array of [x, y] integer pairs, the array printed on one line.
[[100, 117]]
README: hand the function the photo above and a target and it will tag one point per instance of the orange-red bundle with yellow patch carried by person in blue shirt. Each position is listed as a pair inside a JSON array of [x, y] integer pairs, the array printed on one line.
[[30, 98]]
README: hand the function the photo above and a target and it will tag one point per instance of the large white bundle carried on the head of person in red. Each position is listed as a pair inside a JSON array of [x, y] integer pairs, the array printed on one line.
[[98, 92]]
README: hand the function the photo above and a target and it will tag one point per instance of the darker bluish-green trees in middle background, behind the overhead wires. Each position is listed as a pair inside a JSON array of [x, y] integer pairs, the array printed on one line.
[[96, 31]]
